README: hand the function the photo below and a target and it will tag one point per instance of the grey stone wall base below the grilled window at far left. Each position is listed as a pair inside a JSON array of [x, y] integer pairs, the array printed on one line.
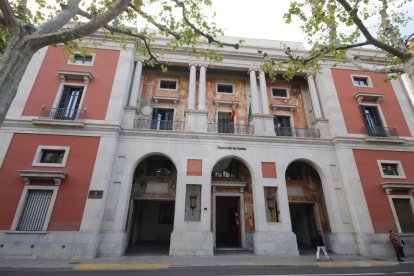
[[52, 245]]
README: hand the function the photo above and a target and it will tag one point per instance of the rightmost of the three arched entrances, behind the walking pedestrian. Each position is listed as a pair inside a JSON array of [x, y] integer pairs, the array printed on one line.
[[306, 204]]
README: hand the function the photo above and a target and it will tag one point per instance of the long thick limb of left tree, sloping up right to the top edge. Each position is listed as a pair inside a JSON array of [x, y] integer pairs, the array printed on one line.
[[92, 26]]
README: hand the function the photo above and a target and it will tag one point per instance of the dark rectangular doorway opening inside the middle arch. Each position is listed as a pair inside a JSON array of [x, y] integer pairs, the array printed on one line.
[[228, 222]]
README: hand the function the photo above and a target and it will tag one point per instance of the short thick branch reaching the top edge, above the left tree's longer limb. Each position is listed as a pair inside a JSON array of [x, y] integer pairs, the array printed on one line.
[[61, 19]]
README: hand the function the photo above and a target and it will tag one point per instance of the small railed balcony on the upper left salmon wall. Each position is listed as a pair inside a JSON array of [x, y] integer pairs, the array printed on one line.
[[60, 116]]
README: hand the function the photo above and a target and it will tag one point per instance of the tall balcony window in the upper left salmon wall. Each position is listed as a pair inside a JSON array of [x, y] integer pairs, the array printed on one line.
[[69, 102]]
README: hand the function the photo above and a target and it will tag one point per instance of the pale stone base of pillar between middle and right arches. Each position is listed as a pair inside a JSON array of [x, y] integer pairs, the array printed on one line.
[[275, 244]]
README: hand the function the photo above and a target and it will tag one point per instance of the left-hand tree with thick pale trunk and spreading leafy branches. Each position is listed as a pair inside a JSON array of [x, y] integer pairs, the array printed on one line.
[[24, 29]]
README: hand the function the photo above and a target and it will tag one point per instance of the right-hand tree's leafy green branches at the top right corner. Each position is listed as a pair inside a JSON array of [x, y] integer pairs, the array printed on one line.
[[335, 27]]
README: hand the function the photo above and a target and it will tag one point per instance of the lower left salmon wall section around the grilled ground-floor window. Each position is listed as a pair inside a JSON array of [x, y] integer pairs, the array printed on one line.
[[70, 201]]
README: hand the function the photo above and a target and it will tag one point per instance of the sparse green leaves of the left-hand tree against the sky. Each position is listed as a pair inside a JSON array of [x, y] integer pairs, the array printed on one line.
[[182, 22]]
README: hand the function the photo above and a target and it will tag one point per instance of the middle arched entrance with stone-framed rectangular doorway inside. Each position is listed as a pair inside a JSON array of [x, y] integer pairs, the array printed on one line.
[[232, 216]]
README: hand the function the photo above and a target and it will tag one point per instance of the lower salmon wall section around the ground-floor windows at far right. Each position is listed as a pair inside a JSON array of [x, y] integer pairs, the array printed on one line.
[[377, 199]]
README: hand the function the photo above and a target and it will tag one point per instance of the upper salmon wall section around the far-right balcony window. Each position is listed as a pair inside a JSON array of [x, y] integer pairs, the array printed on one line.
[[350, 107]]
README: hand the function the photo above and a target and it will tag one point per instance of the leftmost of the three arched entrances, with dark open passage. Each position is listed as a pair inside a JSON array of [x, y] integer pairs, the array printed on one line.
[[151, 212]]
